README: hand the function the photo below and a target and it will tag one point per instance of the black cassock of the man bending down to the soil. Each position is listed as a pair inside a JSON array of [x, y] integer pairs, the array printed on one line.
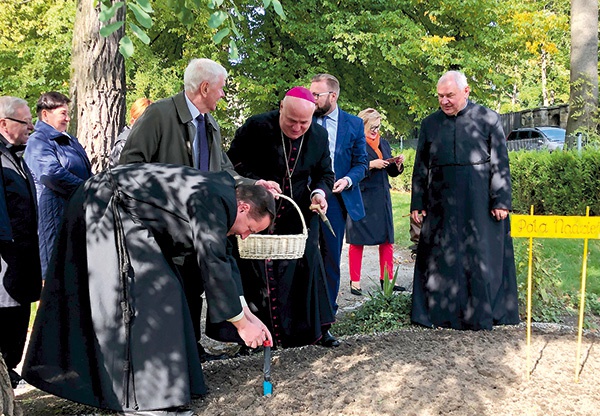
[[82, 347]]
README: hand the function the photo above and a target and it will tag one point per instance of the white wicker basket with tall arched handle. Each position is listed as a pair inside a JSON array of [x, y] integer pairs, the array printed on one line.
[[275, 247]]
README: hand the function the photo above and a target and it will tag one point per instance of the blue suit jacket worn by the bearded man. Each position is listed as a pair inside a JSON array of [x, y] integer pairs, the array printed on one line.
[[351, 160]]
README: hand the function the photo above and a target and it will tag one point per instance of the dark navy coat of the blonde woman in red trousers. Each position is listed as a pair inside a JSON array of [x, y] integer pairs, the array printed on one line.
[[377, 227]]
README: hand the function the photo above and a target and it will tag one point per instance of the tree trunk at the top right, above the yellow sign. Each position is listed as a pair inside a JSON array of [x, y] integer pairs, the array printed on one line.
[[583, 100]]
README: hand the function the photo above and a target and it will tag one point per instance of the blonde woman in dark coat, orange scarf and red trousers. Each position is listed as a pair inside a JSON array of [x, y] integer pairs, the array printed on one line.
[[377, 227]]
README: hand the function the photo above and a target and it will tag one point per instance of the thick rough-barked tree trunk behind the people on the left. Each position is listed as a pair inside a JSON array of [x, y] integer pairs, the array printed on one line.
[[97, 84]]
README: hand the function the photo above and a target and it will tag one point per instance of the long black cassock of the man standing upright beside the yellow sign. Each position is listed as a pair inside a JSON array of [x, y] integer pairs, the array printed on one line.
[[465, 271]]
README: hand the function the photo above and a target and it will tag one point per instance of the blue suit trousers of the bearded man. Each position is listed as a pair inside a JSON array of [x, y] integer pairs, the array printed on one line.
[[331, 247]]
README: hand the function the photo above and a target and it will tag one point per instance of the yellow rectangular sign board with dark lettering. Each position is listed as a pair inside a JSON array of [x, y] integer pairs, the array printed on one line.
[[554, 226]]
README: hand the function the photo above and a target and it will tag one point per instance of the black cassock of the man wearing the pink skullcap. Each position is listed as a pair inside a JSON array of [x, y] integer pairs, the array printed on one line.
[[290, 295]]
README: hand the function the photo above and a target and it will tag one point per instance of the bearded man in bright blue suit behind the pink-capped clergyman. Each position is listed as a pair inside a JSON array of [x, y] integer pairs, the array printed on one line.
[[349, 161]]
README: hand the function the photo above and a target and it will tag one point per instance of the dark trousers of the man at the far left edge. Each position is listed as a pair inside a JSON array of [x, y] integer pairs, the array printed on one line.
[[14, 322]]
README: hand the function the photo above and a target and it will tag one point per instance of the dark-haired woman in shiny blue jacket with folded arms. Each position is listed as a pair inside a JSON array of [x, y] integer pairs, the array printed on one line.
[[59, 165]]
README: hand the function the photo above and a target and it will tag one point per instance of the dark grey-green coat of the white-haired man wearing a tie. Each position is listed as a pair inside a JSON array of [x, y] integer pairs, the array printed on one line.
[[165, 133]]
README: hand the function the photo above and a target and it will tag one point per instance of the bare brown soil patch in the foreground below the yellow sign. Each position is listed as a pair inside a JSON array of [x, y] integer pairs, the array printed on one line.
[[410, 372]]
